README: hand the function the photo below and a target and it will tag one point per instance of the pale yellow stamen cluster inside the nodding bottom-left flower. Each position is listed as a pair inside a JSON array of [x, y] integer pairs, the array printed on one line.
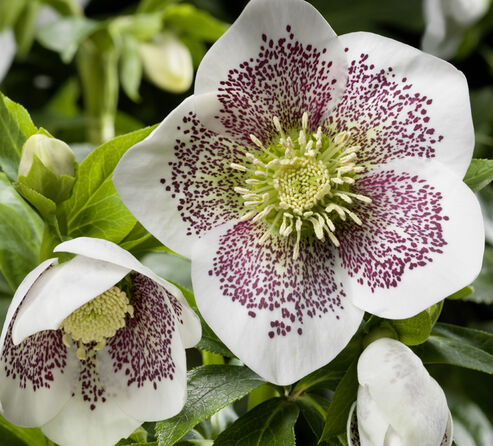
[[96, 320]]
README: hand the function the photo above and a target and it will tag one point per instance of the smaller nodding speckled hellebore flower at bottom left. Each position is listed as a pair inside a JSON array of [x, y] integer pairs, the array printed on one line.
[[94, 346]]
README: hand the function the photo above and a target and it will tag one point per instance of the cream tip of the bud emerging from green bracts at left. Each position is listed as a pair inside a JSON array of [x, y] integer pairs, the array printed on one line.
[[55, 155]]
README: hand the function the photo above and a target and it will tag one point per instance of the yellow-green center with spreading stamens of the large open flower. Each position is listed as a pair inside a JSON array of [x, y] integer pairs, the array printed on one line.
[[301, 183]]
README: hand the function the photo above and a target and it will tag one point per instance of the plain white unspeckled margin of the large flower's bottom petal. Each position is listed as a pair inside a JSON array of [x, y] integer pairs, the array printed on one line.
[[281, 360]]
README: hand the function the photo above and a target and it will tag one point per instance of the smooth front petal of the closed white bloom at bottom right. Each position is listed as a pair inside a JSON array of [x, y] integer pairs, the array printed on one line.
[[407, 396]]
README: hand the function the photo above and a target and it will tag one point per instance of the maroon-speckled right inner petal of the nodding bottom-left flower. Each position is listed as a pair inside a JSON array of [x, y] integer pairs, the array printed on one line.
[[143, 366]]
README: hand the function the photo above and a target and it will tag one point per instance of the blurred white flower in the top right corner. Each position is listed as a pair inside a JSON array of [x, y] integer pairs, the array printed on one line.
[[446, 21]]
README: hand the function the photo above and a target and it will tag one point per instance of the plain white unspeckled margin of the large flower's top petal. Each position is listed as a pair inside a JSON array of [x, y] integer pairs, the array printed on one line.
[[242, 42]]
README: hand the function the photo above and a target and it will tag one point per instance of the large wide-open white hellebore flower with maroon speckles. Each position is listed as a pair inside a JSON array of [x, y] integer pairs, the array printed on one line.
[[311, 177]]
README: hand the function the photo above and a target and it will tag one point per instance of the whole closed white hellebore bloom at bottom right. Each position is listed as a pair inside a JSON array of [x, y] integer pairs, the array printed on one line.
[[399, 403]]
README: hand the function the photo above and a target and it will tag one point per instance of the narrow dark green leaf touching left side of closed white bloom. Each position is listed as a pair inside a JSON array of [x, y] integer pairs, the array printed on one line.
[[344, 396]]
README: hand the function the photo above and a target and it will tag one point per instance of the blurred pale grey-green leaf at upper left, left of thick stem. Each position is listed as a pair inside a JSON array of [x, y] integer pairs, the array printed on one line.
[[65, 35]]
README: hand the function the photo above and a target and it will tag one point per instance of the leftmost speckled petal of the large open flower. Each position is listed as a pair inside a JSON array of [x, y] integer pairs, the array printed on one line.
[[178, 181]]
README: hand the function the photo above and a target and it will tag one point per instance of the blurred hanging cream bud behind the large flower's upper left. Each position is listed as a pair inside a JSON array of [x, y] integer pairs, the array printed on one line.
[[168, 63]]
